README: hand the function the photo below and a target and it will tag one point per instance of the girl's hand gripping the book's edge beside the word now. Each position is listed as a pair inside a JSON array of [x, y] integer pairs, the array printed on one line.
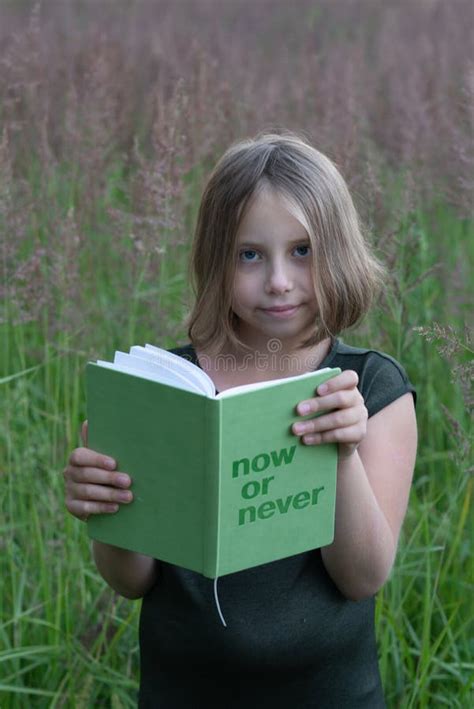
[[346, 420]]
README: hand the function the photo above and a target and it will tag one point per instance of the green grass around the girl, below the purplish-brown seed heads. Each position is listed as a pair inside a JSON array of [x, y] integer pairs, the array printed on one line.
[[66, 640]]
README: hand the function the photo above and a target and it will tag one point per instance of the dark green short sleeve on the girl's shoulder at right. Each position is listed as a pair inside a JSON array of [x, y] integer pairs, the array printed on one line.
[[382, 381]]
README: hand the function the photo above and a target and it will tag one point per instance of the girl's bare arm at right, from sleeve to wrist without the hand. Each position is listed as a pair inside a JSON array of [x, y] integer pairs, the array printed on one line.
[[371, 500]]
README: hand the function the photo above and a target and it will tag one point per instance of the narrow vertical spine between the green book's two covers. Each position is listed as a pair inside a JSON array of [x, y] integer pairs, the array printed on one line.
[[212, 493]]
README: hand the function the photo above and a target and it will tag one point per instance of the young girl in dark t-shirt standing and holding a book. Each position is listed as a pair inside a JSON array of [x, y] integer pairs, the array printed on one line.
[[280, 268]]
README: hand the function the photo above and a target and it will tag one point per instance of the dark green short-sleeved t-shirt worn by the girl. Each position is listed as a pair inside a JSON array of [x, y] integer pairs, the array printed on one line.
[[292, 639]]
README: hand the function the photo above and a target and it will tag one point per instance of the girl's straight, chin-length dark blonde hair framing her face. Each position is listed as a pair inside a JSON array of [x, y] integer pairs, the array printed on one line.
[[345, 273]]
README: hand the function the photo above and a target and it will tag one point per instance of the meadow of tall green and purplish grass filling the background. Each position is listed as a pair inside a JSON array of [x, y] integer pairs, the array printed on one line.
[[111, 115]]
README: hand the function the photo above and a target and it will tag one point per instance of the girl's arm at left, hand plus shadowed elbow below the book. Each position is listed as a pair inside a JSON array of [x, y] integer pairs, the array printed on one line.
[[93, 486]]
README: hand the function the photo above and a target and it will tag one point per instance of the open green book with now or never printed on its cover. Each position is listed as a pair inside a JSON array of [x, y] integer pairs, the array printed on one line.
[[220, 482]]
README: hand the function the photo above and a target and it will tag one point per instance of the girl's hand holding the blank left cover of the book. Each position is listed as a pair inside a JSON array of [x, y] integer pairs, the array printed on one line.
[[92, 484]]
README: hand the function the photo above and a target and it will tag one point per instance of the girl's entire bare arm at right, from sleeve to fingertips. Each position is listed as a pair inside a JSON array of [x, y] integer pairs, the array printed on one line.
[[376, 461]]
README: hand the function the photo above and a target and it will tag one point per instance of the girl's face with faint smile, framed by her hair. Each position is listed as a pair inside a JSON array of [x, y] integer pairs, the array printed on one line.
[[273, 294]]
